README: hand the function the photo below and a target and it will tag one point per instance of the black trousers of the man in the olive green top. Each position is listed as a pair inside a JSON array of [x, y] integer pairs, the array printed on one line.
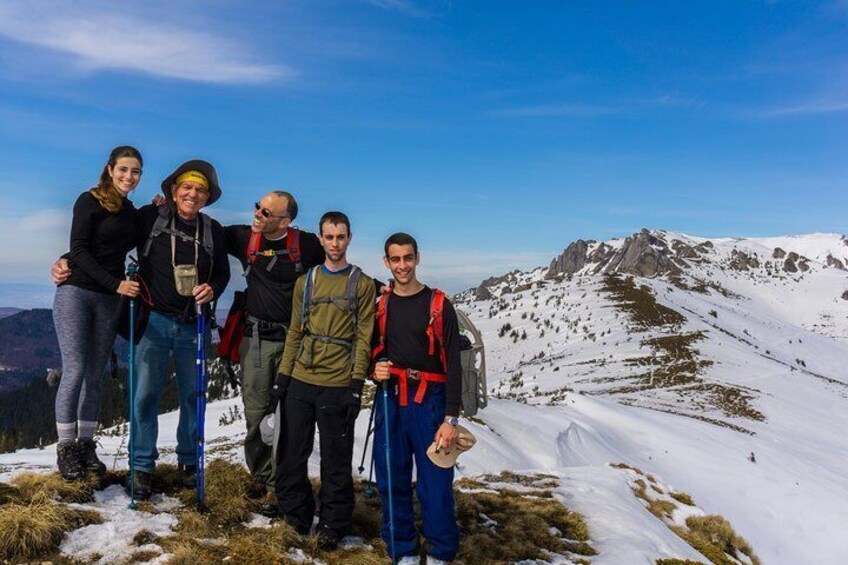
[[303, 407]]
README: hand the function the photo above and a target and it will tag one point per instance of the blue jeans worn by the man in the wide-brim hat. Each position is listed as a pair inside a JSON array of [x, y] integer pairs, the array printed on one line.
[[164, 337]]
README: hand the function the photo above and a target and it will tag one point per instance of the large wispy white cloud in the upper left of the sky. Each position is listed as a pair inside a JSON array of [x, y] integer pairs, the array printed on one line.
[[99, 36]]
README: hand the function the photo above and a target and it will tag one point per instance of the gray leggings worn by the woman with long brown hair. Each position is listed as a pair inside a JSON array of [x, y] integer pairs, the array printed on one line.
[[83, 320]]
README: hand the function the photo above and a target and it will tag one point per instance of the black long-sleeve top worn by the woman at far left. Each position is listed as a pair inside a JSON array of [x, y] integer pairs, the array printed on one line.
[[99, 242]]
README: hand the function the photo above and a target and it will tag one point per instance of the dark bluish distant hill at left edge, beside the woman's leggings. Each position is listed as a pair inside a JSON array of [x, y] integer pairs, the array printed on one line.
[[28, 341]]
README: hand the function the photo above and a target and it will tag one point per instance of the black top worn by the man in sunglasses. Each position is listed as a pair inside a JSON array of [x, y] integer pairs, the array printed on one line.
[[269, 293]]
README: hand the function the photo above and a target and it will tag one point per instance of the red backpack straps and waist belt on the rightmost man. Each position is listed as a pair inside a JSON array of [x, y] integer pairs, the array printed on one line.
[[435, 332]]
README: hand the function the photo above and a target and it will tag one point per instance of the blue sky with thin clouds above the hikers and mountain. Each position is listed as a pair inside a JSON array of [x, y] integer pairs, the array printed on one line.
[[495, 132]]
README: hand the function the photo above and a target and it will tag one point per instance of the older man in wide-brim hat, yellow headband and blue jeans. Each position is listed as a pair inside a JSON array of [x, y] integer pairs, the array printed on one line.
[[183, 263]]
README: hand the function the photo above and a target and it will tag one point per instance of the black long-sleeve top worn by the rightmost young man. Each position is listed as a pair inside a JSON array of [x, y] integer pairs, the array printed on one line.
[[407, 344]]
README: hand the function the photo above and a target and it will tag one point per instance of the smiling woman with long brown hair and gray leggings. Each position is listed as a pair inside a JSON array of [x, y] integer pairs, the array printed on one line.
[[103, 230]]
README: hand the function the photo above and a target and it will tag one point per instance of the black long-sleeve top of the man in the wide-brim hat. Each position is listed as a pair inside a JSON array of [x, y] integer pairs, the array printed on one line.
[[156, 268]]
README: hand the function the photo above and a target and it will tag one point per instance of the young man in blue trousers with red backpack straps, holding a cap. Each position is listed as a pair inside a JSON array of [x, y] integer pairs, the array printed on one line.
[[423, 406]]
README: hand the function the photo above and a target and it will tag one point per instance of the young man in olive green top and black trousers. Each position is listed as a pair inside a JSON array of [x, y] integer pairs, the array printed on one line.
[[320, 382]]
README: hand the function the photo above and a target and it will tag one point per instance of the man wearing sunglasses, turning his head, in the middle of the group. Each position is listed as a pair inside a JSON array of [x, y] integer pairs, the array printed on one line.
[[272, 265]]
